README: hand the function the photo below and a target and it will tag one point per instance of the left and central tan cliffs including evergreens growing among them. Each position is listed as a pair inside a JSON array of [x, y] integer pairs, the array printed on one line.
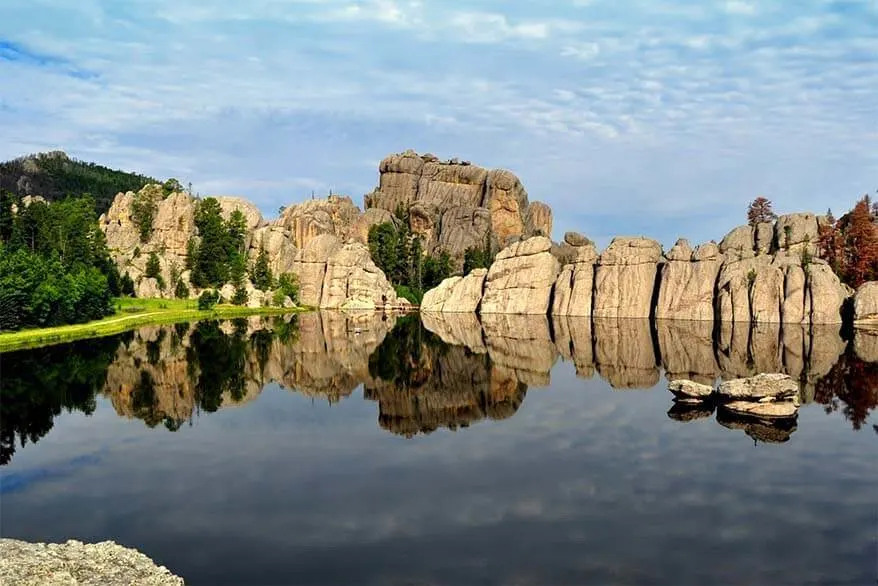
[[426, 219]]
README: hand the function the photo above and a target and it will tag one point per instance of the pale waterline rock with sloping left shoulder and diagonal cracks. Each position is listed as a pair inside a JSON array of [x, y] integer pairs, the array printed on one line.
[[521, 279]]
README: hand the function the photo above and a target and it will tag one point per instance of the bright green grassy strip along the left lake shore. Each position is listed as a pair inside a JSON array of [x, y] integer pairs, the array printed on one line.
[[130, 314]]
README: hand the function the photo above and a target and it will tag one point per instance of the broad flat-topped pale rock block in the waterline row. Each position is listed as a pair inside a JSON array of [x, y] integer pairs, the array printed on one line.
[[625, 278]]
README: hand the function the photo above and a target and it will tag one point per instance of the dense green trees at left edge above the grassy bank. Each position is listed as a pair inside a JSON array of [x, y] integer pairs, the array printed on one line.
[[54, 264]]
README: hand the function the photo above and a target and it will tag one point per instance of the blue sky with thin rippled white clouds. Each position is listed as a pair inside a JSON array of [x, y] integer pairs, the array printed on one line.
[[661, 118]]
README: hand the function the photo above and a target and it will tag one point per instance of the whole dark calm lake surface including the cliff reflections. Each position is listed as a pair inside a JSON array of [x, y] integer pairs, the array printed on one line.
[[332, 450]]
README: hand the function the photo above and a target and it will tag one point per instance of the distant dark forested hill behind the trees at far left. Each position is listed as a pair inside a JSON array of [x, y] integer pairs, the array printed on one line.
[[56, 176]]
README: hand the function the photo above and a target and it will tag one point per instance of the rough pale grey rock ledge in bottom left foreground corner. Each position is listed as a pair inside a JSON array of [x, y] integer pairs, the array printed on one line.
[[76, 563]]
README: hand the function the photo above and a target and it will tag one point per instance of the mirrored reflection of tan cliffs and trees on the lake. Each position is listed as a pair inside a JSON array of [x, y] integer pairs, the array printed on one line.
[[425, 373]]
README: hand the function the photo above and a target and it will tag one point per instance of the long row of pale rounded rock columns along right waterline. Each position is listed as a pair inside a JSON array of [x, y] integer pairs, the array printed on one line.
[[767, 273]]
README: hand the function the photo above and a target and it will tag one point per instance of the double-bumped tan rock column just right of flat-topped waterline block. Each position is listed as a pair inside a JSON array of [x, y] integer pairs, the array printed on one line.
[[687, 282]]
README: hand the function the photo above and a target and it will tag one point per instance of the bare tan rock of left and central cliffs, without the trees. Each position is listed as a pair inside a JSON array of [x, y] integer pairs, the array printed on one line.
[[451, 205]]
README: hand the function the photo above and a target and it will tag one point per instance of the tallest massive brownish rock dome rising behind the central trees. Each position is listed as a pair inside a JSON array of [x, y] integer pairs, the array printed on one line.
[[455, 205]]
